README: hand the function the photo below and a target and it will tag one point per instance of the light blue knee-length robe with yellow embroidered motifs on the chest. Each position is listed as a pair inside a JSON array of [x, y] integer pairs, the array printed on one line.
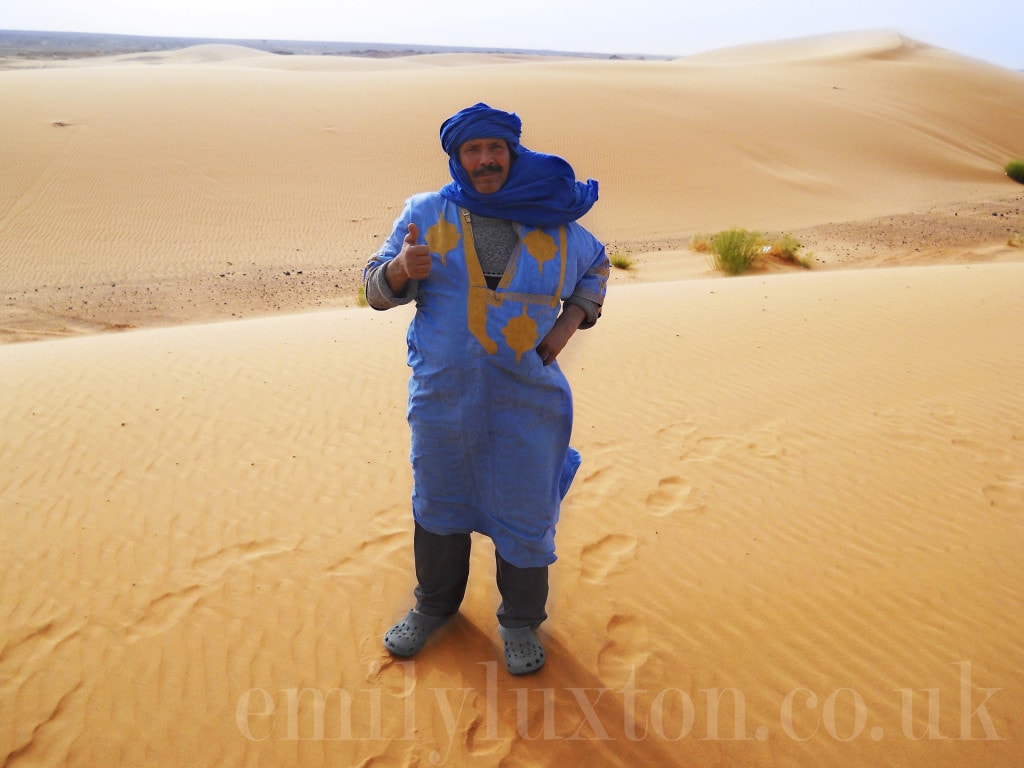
[[491, 423]]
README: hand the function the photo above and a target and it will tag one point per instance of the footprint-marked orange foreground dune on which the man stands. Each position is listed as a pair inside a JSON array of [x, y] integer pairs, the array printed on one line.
[[780, 495]]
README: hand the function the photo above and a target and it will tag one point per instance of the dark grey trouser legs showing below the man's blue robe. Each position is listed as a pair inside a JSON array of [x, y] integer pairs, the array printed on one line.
[[443, 573]]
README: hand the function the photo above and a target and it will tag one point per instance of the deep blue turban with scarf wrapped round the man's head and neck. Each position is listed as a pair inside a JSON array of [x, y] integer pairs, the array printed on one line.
[[541, 190]]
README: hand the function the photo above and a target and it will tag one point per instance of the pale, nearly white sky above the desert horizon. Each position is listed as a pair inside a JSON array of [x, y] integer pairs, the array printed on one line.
[[990, 30]]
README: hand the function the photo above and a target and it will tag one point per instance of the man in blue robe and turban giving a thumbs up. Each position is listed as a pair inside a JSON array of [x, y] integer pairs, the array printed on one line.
[[502, 277]]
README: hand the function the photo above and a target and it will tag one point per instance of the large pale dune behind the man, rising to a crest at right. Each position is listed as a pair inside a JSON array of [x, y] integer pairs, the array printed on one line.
[[217, 172]]
